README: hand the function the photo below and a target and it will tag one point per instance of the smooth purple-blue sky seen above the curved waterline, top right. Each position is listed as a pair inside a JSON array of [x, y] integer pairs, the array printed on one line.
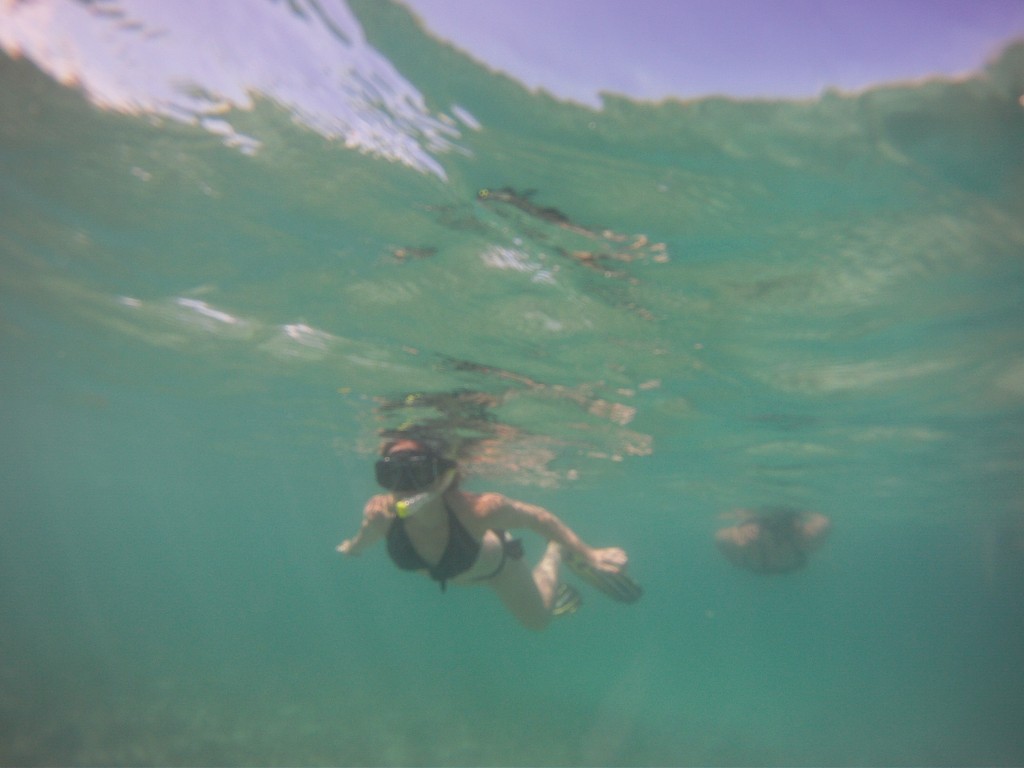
[[747, 49]]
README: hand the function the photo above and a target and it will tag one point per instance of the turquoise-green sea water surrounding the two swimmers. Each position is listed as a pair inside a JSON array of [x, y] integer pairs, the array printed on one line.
[[812, 304]]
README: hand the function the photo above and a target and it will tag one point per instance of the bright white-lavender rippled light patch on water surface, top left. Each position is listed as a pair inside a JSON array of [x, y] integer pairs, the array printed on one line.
[[194, 61]]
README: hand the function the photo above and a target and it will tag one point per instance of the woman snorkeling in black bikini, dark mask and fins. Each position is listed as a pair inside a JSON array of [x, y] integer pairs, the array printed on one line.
[[455, 537]]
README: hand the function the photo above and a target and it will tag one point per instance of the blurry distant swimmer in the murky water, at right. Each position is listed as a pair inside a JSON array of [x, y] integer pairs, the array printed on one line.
[[778, 540]]
